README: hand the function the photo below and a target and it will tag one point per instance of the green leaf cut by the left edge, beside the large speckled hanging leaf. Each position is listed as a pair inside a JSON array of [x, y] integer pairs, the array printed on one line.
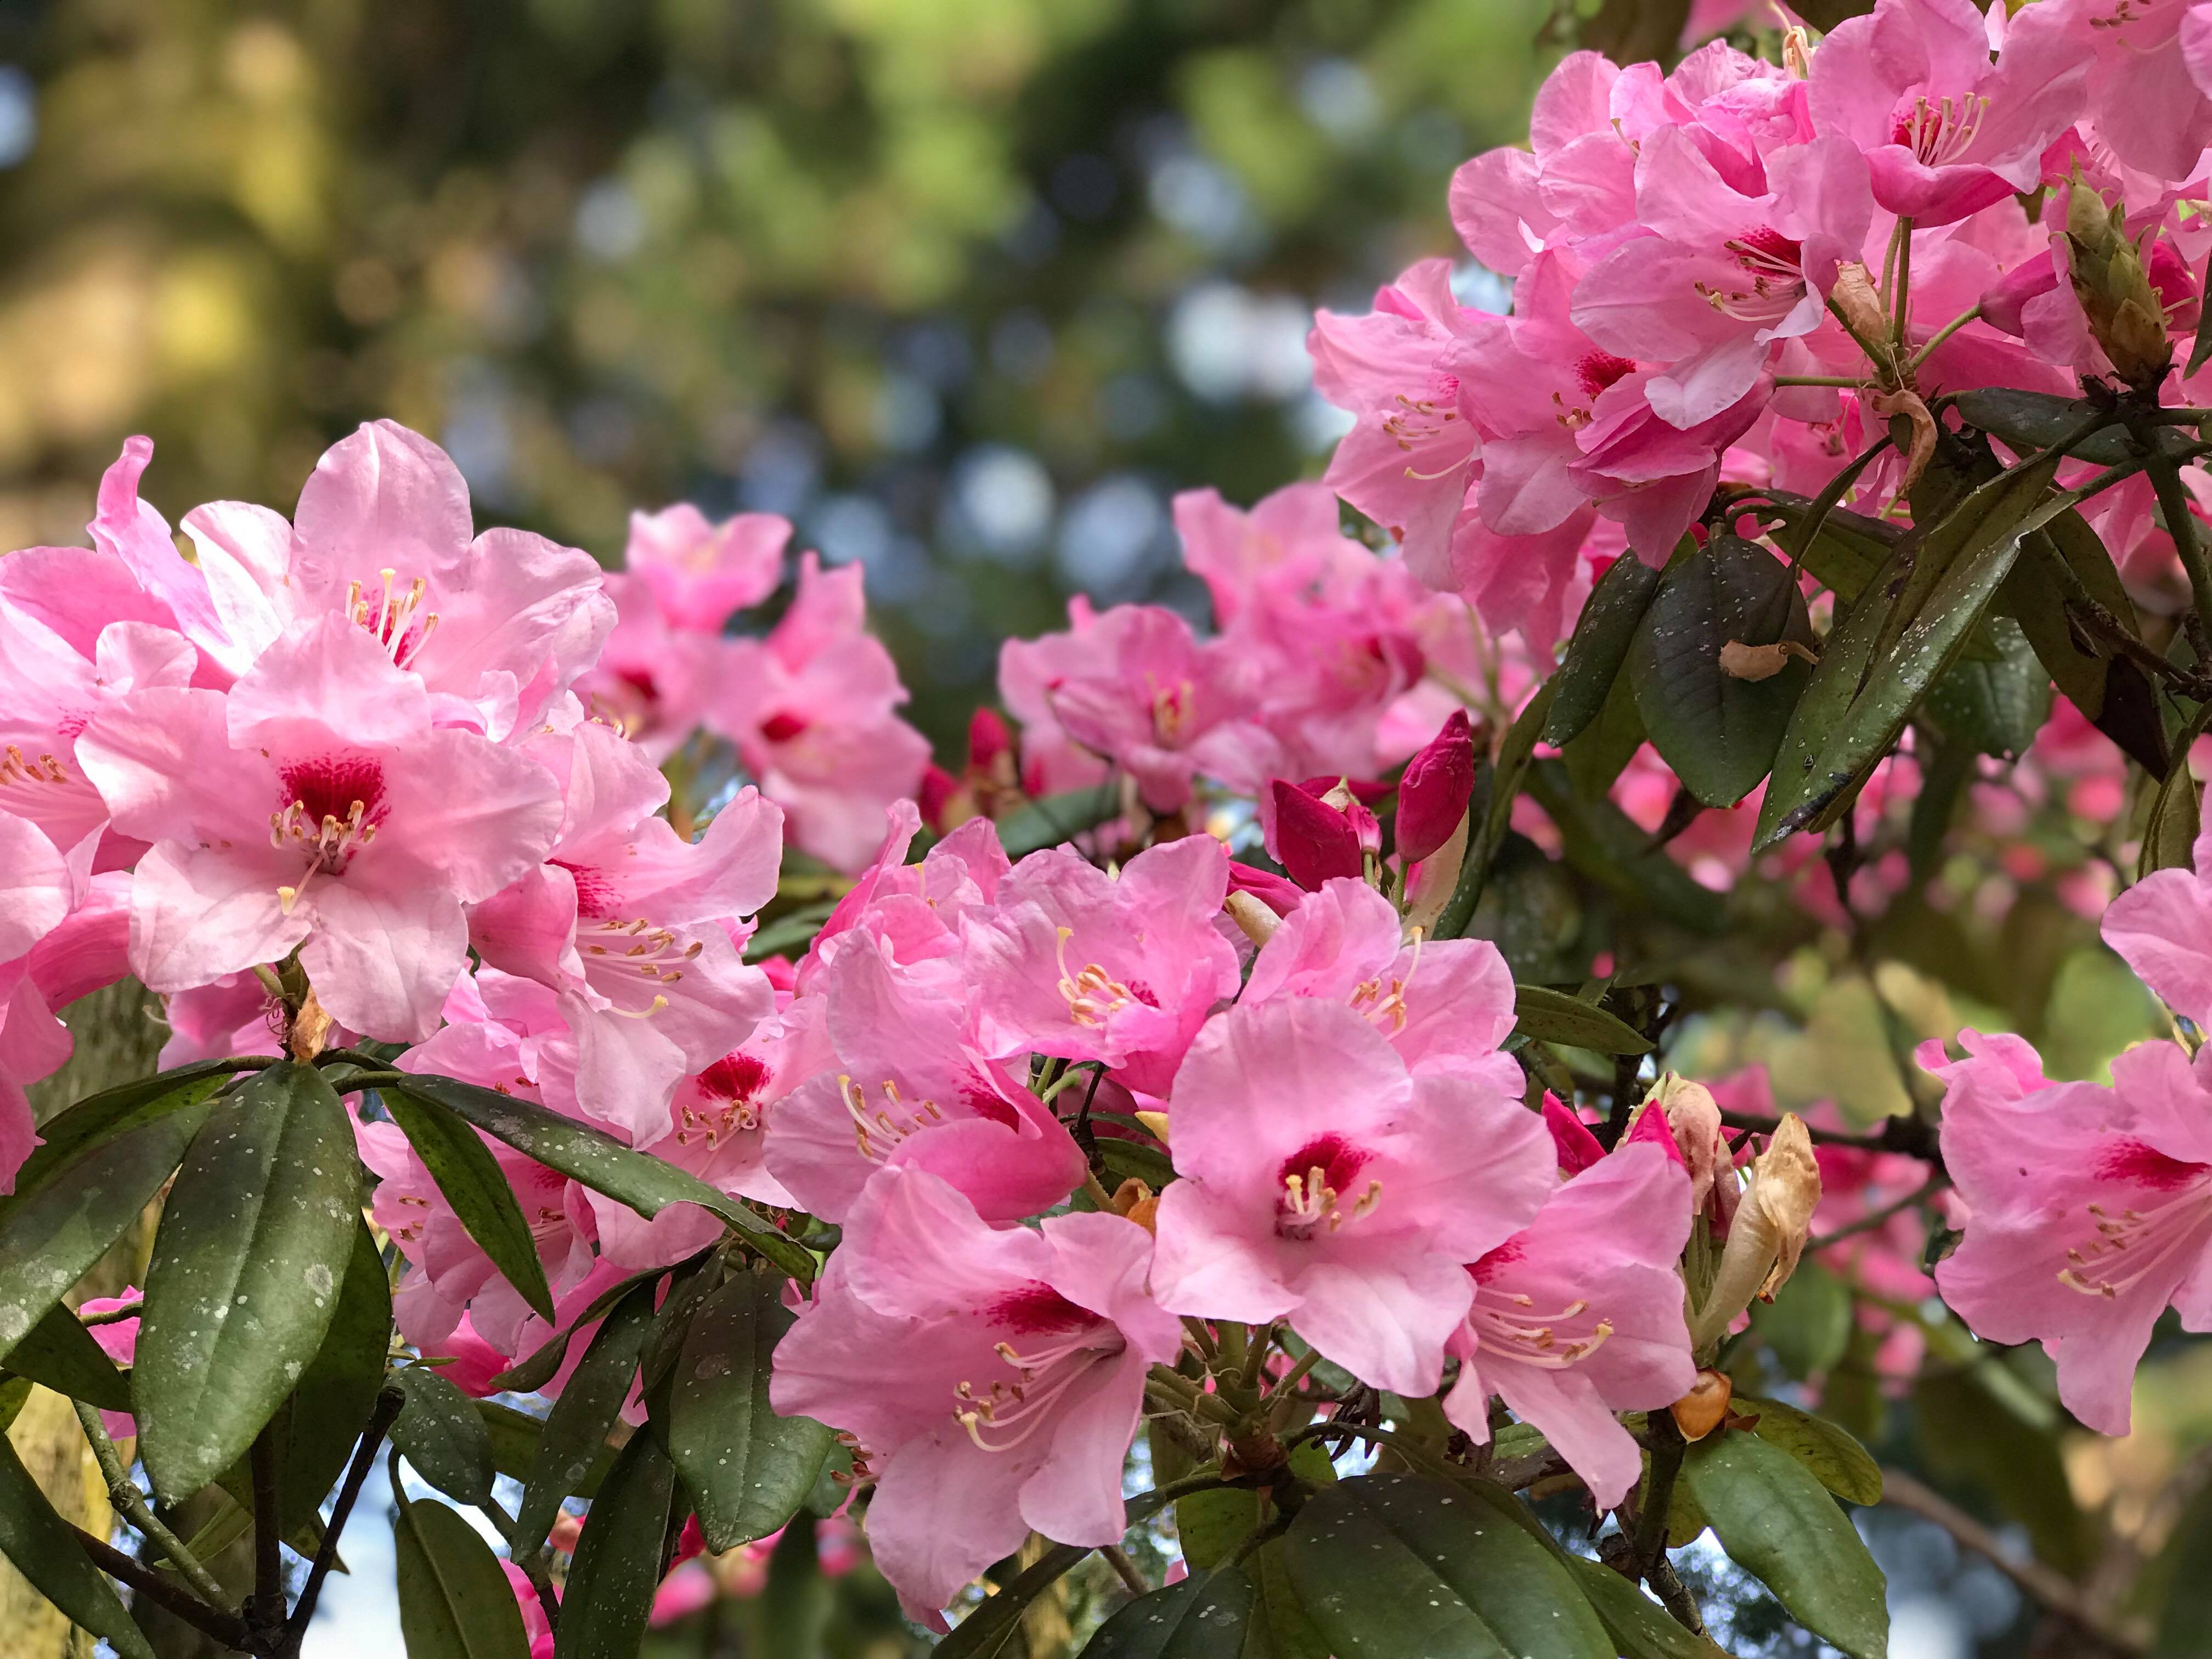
[[52, 1235]]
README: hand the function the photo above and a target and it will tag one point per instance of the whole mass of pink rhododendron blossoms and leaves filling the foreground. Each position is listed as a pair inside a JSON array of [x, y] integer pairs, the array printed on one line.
[[1269, 1043]]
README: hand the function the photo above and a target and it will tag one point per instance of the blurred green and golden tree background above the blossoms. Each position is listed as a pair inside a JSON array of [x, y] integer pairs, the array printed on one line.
[[968, 289]]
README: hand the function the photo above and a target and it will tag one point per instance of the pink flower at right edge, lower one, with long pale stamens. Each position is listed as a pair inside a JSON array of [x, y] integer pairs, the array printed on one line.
[[2091, 1209]]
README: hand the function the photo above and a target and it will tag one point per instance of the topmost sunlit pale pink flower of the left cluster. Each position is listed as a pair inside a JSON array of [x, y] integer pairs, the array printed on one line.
[[497, 627]]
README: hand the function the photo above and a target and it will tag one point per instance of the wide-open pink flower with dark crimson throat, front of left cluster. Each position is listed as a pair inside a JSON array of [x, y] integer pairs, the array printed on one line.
[[315, 806]]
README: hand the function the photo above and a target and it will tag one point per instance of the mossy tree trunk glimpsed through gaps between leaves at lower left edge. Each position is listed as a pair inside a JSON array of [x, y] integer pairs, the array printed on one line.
[[118, 1039]]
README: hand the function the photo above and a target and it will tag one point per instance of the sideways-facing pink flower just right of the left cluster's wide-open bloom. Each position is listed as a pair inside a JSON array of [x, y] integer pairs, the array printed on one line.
[[632, 926]]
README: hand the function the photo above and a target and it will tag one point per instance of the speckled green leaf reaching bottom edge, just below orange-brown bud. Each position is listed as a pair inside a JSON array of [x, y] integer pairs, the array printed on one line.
[[1782, 1527]]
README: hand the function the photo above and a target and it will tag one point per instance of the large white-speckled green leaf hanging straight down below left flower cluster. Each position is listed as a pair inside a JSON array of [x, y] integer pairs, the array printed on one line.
[[247, 1273]]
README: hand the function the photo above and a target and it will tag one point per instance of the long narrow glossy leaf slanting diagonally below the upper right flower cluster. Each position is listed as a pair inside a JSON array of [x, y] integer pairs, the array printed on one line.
[[1846, 724]]
